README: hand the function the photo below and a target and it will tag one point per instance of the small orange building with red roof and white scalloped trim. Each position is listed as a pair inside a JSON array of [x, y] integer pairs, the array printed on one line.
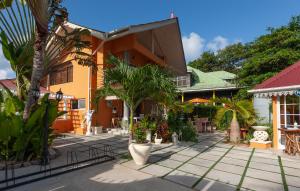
[[284, 90]]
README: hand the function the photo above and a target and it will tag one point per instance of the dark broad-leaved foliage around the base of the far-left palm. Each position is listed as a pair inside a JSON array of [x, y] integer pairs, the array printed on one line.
[[21, 140]]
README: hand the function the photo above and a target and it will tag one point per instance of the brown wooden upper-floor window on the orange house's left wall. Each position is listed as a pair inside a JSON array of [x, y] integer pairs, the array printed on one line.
[[62, 74]]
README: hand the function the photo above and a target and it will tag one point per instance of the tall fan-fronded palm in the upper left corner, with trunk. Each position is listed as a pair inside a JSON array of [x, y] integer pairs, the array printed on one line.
[[30, 27]]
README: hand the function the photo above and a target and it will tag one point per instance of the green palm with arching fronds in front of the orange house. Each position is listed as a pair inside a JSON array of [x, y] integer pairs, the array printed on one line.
[[134, 85]]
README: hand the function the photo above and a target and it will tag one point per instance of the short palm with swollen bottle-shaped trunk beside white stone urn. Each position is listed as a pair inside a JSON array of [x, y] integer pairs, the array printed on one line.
[[239, 112]]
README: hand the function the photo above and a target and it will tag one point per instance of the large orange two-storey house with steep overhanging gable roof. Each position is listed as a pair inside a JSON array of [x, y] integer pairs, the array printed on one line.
[[157, 42]]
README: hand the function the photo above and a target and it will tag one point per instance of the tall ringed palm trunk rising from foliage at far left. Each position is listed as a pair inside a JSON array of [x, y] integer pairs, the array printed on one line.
[[38, 67]]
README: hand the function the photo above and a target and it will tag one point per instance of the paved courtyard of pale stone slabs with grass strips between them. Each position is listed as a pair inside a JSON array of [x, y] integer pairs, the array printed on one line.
[[209, 164]]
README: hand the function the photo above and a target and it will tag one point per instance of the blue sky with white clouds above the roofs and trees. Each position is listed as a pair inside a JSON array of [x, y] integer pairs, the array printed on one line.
[[205, 24]]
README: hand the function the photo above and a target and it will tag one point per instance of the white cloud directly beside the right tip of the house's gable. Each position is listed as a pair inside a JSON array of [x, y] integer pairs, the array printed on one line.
[[193, 46]]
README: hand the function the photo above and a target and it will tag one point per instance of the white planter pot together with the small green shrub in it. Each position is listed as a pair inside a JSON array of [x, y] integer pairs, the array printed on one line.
[[140, 148]]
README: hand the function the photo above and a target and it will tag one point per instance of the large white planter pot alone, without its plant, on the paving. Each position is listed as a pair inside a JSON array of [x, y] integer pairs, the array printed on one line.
[[140, 152]]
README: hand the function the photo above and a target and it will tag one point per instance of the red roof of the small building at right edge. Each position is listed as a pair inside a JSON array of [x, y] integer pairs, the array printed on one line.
[[287, 77]]
